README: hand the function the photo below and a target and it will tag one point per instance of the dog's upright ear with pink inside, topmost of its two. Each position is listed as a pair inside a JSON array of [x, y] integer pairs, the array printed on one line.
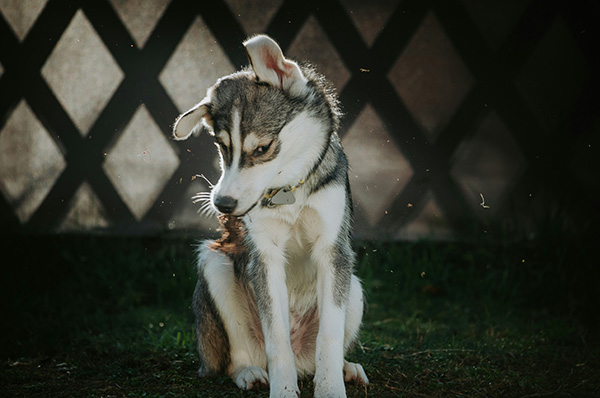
[[270, 66]]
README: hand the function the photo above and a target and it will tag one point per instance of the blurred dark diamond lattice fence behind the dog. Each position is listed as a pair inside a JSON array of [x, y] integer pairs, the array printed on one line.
[[462, 117]]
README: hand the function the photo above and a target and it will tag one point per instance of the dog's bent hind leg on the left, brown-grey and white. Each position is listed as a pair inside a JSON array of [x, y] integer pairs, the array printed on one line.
[[237, 351]]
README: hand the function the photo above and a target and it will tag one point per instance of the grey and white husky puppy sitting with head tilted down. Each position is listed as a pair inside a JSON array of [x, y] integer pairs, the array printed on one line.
[[276, 297]]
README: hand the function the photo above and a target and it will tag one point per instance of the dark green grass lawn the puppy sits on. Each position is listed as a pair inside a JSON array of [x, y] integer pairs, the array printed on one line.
[[110, 317]]
